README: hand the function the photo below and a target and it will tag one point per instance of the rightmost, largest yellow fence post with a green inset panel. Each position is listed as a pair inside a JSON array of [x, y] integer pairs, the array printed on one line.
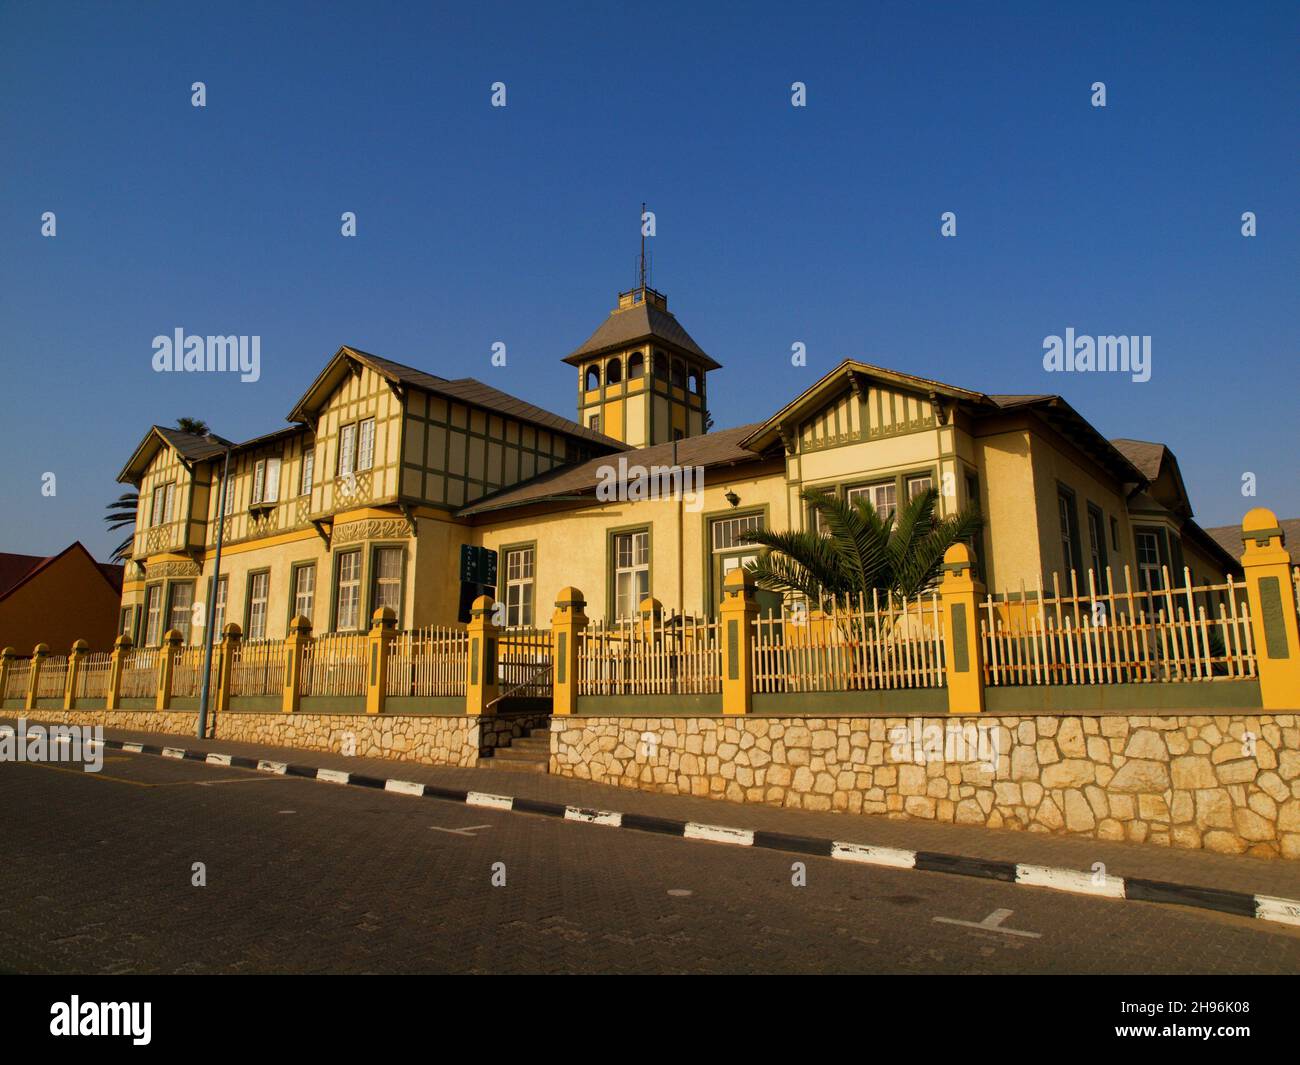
[[1273, 611]]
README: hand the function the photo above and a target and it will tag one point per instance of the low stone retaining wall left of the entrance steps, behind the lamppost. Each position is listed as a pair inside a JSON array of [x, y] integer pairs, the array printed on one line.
[[405, 738]]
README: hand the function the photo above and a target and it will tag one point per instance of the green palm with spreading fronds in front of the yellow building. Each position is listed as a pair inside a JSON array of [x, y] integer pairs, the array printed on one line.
[[861, 553]]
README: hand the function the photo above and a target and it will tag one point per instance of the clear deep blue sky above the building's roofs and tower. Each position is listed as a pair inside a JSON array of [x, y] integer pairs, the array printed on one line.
[[521, 224]]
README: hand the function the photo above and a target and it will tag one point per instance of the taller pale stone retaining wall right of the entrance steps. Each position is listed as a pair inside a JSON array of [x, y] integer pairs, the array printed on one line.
[[1227, 783]]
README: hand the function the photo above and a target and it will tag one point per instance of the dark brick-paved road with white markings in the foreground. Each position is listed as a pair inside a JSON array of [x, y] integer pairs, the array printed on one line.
[[96, 876]]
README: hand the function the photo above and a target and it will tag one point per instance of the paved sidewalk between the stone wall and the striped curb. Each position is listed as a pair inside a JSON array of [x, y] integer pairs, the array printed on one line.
[[1193, 868]]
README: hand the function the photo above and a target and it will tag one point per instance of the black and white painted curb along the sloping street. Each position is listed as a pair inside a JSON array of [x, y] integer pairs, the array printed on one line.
[[1241, 904]]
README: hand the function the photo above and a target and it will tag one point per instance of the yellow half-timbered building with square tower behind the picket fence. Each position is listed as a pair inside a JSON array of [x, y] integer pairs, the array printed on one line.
[[385, 473]]
